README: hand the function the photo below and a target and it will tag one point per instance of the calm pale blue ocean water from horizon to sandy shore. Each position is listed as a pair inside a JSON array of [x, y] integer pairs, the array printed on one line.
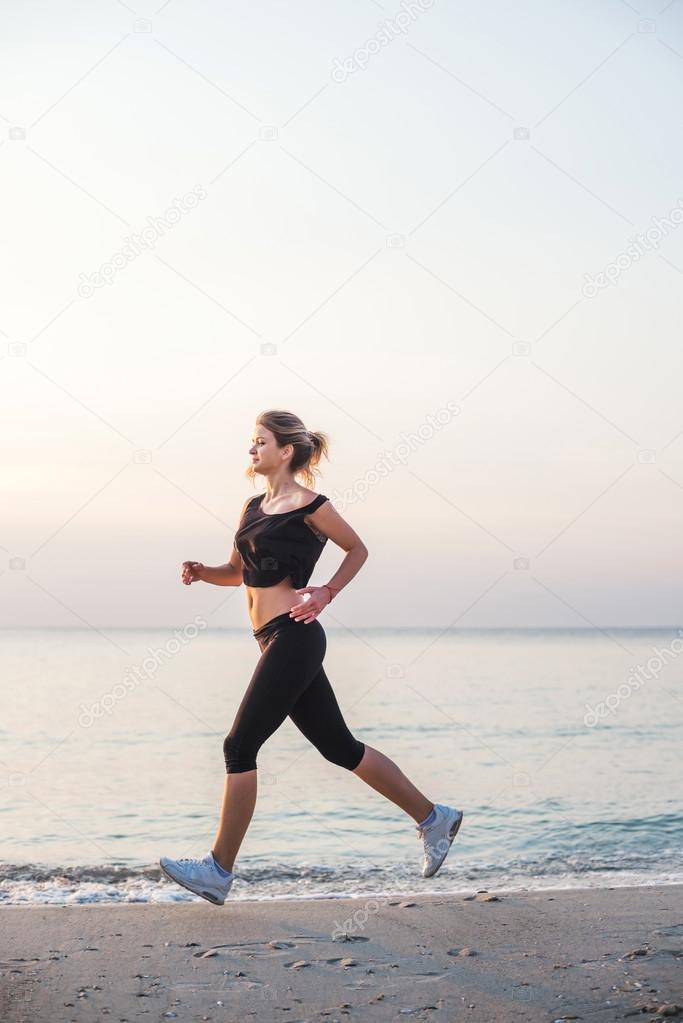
[[563, 748]]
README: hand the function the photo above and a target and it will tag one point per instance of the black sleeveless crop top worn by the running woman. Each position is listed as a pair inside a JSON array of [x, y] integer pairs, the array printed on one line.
[[275, 547]]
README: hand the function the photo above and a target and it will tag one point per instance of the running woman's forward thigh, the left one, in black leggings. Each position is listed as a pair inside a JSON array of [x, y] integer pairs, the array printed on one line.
[[290, 661]]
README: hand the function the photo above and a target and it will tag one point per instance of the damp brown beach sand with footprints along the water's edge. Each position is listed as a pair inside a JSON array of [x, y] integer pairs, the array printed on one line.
[[590, 955]]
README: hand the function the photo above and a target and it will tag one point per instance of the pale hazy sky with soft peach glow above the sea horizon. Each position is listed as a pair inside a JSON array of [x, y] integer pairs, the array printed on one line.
[[445, 235]]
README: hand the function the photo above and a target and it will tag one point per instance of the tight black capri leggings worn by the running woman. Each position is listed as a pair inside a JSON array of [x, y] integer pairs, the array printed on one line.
[[290, 681]]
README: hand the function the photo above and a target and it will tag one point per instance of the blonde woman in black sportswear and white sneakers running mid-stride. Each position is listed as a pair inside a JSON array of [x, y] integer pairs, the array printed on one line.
[[280, 539]]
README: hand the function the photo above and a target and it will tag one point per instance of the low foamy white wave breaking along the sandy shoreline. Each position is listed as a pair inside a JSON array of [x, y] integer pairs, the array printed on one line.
[[41, 884]]
